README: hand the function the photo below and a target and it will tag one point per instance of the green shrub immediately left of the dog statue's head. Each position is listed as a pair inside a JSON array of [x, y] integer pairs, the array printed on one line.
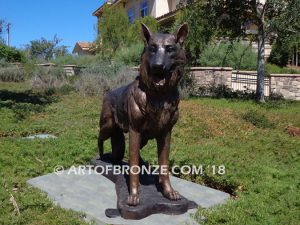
[[131, 55]]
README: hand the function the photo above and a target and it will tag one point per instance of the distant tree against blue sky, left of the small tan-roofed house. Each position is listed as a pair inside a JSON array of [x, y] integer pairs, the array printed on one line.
[[46, 49]]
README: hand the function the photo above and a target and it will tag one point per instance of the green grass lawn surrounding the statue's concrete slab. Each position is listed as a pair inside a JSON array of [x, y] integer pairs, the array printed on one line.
[[262, 161]]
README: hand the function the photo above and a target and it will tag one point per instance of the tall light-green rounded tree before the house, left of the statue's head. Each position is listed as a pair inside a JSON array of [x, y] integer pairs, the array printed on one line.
[[113, 27]]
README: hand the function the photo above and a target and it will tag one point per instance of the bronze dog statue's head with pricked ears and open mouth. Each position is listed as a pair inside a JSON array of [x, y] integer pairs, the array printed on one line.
[[163, 58]]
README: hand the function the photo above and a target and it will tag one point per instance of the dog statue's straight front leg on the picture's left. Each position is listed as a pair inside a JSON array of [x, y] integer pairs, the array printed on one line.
[[134, 146]]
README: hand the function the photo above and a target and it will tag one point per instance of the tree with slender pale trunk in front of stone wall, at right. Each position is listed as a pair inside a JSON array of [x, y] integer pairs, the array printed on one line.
[[270, 16]]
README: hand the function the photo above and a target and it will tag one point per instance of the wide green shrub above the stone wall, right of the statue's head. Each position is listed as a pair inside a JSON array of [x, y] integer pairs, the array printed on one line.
[[236, 55]]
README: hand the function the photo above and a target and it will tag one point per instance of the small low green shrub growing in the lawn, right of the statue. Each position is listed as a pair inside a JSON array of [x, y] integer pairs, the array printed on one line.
[[257, 119]]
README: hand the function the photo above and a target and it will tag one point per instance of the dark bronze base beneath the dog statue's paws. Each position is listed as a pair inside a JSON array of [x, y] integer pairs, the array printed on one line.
[[151, 199]]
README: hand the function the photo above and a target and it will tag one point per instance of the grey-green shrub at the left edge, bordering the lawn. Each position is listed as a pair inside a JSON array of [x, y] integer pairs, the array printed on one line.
[[12, 74]]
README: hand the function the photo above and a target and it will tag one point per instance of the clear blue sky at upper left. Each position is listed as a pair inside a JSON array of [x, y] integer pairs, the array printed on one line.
[[70, 20]]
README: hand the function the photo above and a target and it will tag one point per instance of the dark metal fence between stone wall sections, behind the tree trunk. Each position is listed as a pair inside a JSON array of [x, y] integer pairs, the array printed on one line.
[[246, 81]]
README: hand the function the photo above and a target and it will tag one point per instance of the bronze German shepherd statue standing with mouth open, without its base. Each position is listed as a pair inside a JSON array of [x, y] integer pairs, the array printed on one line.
[[147, 108]]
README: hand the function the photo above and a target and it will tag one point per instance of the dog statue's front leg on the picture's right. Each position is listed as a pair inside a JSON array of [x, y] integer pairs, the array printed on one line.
[[163, 150]]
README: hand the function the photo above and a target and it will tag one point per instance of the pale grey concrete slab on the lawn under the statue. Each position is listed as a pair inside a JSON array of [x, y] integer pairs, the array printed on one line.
[[92, 194]]
